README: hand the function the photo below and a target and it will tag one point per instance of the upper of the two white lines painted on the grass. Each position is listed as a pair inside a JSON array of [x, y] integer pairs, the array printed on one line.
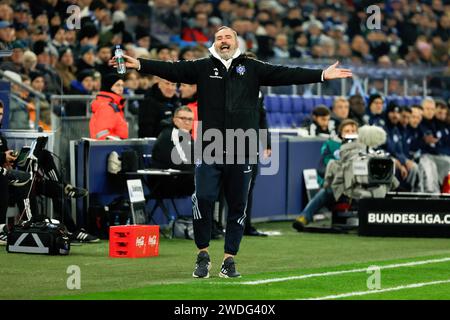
[[332, 273]]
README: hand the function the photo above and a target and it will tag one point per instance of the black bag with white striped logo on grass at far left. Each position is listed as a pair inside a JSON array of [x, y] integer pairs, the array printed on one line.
[[43, 237]]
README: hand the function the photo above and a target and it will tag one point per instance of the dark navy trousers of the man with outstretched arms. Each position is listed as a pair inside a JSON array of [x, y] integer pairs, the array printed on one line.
[[236, 179]]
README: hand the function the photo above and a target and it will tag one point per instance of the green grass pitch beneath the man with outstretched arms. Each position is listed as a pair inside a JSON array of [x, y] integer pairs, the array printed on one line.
[[292, 254]]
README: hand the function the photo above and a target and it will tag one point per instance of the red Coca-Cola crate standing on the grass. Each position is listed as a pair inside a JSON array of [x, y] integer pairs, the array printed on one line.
[[133, 241]]
